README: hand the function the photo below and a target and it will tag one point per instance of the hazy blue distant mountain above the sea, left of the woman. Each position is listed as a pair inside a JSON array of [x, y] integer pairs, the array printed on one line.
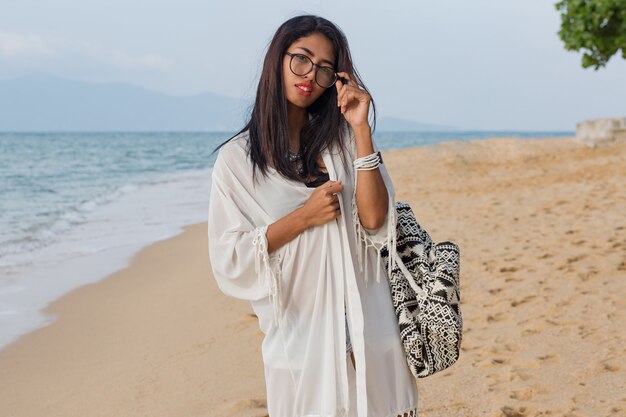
[[48, 103]]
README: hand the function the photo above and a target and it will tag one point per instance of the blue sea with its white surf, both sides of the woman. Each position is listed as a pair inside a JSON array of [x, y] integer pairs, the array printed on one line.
[[75, 207]]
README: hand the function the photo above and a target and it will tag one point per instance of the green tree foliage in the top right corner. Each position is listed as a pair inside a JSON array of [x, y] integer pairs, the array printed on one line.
[[598, 27]]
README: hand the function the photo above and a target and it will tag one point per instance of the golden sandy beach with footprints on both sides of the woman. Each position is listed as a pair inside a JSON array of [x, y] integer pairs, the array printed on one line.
[[542, 231]]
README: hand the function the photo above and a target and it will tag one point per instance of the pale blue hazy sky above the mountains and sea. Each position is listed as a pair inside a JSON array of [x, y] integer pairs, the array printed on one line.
[[475, 65]]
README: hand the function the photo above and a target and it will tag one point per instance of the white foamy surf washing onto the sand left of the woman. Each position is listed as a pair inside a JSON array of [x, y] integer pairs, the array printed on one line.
[[102, 243]]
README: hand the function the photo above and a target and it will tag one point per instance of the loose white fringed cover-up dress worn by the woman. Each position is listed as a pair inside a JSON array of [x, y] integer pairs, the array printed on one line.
[[299, 291]]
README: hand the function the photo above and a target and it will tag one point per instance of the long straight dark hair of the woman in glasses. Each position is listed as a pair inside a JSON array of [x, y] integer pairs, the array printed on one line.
[[268, 124]]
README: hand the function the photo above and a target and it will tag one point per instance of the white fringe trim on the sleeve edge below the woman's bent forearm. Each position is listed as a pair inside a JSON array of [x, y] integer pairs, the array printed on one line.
[[267, 268]]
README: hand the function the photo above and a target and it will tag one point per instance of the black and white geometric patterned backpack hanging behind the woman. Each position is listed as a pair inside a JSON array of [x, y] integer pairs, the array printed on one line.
[[425, 292]]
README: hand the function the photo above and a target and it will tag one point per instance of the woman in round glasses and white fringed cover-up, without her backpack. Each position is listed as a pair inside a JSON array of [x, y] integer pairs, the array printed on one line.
[[300, 207]]
